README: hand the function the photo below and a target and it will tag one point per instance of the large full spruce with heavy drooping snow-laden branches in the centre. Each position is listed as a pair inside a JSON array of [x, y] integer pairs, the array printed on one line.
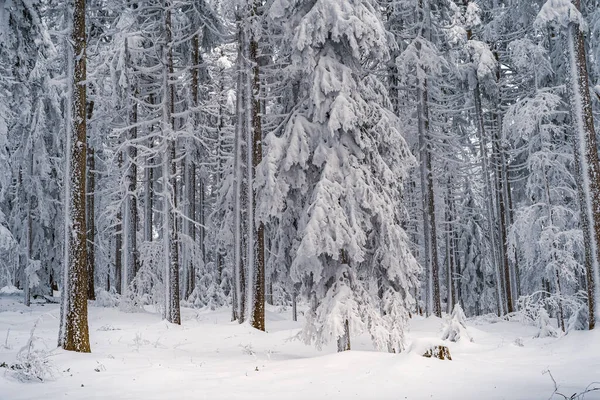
[[342, 159]]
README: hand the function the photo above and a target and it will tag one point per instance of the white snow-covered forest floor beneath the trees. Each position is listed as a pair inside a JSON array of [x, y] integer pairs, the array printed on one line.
[[139, 356]]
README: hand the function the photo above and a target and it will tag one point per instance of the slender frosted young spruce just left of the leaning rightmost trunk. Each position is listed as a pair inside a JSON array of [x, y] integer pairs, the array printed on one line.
[[545, 235]]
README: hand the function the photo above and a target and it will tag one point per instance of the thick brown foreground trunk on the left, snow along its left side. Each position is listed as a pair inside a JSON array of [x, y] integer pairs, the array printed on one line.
[[74, 334]]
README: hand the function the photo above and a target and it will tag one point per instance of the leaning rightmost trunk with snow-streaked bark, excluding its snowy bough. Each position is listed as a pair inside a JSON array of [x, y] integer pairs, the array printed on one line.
[[587, 152]]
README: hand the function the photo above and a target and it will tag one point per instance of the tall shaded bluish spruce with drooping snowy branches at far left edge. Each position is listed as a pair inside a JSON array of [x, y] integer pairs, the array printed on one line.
[[31, 115]]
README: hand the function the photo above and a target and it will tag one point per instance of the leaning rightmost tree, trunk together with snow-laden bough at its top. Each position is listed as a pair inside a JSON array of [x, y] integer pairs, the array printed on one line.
[[566, 15]]
